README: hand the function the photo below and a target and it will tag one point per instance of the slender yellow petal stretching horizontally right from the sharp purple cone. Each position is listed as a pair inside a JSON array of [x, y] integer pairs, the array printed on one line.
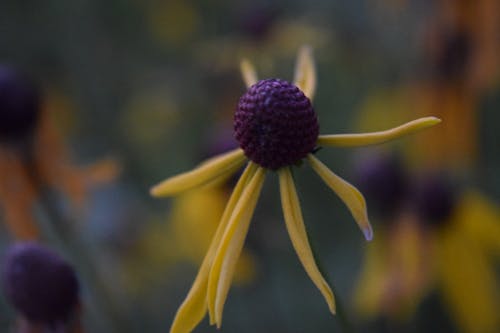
[[373, 138]]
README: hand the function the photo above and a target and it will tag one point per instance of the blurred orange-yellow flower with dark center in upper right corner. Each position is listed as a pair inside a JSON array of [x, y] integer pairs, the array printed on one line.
[[460, 63]]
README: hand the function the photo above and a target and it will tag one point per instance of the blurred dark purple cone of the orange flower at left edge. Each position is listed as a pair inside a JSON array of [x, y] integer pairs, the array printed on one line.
[[19, 105]]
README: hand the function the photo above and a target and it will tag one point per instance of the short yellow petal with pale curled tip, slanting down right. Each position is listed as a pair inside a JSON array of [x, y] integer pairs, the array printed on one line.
[[353, 199]]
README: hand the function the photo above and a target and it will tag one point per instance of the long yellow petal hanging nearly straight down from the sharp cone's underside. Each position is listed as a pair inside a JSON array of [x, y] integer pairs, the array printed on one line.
[[298, 235]]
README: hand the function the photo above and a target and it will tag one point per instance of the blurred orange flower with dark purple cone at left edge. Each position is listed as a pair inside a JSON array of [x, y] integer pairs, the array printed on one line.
[[33, 155]]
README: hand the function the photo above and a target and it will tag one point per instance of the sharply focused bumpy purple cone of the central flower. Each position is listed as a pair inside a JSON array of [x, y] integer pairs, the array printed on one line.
[[275, 124]]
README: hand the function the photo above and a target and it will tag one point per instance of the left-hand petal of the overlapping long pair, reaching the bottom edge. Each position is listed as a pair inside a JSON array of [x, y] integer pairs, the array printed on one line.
[[194, 307]]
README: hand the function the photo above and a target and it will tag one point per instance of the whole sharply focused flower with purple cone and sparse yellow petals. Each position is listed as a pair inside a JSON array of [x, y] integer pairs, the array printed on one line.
[[276, 127]]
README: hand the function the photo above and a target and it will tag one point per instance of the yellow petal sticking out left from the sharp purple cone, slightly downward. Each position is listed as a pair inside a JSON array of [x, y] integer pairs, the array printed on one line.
[[211, 169]]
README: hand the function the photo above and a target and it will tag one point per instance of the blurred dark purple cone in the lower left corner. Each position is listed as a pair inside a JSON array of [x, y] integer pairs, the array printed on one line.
[[40, 284]]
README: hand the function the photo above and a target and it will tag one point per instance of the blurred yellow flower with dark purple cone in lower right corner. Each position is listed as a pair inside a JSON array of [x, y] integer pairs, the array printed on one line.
[[440, 239]]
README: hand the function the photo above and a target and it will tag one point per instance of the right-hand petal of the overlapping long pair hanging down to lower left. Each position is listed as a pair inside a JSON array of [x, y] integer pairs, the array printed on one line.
[[230, 246]]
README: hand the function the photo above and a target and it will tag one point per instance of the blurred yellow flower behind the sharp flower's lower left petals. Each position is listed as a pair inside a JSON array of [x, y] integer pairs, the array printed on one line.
[[184, 238]]
